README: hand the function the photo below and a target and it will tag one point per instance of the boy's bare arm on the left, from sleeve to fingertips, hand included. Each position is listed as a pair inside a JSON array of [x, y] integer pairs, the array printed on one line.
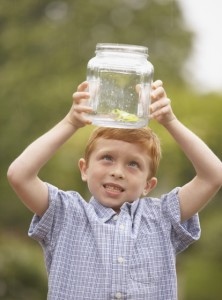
[[23, 172]]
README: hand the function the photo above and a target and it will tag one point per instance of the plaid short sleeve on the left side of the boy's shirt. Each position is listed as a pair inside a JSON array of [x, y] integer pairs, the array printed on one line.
[[64, 207]]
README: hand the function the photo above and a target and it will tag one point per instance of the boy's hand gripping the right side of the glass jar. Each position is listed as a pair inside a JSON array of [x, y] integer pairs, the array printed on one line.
[[160, 108]]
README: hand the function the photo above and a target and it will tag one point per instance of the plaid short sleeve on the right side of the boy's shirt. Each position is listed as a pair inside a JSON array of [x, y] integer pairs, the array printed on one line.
[[182, 234]]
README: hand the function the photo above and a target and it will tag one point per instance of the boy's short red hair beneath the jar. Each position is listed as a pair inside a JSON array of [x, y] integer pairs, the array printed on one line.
[[143, 137]]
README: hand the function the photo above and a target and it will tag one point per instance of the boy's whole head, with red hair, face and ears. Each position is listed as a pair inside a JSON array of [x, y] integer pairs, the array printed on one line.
[[120, 164]]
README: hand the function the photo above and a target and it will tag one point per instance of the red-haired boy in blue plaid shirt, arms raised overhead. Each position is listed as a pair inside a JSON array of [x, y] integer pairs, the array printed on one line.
[[122, 244]]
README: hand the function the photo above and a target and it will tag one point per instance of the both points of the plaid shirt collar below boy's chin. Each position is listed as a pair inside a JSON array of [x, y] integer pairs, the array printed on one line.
[[106, 213]]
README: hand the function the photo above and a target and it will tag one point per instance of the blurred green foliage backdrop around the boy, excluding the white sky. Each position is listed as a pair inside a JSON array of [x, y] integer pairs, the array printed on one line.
[[44, 50]]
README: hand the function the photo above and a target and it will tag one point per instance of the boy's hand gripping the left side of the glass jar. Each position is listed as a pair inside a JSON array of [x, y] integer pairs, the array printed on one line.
[[77, 114]]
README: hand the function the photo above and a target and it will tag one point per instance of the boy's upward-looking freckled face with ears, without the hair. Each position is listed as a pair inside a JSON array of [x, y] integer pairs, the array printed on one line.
[[117, 172]]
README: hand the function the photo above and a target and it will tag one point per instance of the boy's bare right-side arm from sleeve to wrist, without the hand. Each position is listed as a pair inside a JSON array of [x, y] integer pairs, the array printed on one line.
[[195, 194]]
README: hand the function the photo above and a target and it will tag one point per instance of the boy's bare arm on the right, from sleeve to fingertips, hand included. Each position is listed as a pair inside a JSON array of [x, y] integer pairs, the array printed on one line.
[[195, 194]]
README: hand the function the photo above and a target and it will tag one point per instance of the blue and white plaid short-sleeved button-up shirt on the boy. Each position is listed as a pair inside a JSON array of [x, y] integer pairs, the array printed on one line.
[[93, 253]]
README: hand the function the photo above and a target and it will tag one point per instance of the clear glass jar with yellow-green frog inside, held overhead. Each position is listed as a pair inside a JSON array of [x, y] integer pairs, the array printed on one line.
[[119, 78]]
